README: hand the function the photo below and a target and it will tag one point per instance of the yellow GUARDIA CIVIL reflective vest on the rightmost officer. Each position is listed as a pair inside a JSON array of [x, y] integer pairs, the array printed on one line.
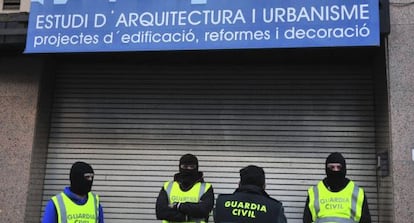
[[344, 206]]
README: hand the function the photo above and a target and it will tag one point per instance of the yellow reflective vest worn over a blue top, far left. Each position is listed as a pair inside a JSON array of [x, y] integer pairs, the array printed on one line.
[[70, 212]]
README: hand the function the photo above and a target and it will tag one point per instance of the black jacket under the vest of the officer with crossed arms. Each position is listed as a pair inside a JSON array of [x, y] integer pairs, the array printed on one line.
[[184, 211]]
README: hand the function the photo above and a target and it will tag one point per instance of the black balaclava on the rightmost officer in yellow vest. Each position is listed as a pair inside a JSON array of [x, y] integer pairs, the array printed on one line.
[[336, 179]]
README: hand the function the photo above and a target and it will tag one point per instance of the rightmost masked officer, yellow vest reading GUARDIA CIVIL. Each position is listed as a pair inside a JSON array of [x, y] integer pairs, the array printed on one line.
[[336, 198]]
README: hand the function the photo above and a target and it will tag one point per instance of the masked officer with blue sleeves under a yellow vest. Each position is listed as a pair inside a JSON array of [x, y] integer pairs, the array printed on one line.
[[76, 203]]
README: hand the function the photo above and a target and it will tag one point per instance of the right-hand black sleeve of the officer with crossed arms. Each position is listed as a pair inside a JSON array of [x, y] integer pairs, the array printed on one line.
[[201, 209]]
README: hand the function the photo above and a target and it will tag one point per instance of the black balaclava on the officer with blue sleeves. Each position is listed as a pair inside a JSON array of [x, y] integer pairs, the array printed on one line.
[[78, 183]]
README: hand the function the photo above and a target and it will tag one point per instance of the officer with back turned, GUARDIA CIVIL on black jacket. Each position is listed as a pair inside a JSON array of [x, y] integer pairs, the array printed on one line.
[[249, 203]]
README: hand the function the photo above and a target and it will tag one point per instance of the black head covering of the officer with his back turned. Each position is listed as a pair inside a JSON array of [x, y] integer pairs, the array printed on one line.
[[252, 175]]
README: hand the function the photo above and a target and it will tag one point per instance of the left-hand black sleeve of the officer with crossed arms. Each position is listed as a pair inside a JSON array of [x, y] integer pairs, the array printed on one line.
[[164, 211]]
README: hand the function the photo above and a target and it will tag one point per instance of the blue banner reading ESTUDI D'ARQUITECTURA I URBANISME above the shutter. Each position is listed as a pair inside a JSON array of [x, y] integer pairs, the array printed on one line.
[[153, 25]]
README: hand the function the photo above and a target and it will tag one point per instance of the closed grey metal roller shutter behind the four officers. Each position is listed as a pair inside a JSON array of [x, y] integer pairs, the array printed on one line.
[[132, 123]]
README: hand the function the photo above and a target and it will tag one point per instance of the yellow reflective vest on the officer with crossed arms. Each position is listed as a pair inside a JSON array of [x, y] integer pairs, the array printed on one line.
[[176, 195]]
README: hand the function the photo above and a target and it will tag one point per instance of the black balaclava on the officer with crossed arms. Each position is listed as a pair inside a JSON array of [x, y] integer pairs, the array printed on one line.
[[188, 177]]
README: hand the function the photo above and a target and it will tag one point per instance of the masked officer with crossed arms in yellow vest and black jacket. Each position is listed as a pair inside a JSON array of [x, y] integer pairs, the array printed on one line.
[[187, 198]]
